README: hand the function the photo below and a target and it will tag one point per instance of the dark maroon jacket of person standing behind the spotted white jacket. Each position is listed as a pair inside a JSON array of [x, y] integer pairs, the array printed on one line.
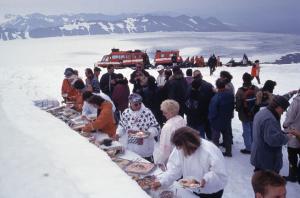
[[120, 95]]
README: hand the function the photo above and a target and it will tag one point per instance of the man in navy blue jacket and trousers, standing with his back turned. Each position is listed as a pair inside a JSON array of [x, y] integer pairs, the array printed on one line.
[[220, 114]]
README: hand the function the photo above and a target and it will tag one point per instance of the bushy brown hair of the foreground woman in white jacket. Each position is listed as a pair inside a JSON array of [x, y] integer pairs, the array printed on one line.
[[187, 139]]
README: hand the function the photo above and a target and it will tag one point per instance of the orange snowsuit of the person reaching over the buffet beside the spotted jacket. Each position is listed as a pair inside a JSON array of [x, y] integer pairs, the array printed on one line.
[[105, 121]]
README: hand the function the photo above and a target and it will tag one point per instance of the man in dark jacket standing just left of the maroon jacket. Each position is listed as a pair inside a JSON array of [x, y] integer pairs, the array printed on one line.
[[107, 81]]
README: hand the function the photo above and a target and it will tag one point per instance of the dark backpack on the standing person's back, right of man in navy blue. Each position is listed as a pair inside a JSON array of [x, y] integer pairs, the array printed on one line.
[[249, 99]]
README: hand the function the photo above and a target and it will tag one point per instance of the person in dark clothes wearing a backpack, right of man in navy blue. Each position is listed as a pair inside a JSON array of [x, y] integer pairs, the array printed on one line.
[[245, 102]]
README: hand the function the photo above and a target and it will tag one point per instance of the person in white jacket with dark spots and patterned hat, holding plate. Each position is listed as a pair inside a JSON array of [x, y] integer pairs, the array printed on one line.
[[138, 118]]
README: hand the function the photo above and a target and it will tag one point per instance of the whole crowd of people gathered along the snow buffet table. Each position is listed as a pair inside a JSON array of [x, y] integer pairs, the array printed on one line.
[[190, 119]]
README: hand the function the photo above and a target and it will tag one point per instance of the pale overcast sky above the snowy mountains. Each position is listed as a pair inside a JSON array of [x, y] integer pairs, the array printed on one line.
[[250, 12]]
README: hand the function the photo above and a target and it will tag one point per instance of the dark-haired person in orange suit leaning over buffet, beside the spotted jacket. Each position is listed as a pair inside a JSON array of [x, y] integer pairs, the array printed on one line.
[[105, 121]]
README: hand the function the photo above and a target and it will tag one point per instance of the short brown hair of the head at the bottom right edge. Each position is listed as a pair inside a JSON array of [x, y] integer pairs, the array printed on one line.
[[262, 179]]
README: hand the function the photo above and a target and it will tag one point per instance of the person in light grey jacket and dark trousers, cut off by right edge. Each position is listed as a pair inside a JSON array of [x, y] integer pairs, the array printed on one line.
[[292, 121]]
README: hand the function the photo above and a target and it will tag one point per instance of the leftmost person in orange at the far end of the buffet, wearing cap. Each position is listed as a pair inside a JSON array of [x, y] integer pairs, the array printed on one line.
[[67, 91]]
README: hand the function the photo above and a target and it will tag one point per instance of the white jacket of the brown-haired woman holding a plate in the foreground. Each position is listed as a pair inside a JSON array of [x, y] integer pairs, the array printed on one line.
[[207, 163]]
